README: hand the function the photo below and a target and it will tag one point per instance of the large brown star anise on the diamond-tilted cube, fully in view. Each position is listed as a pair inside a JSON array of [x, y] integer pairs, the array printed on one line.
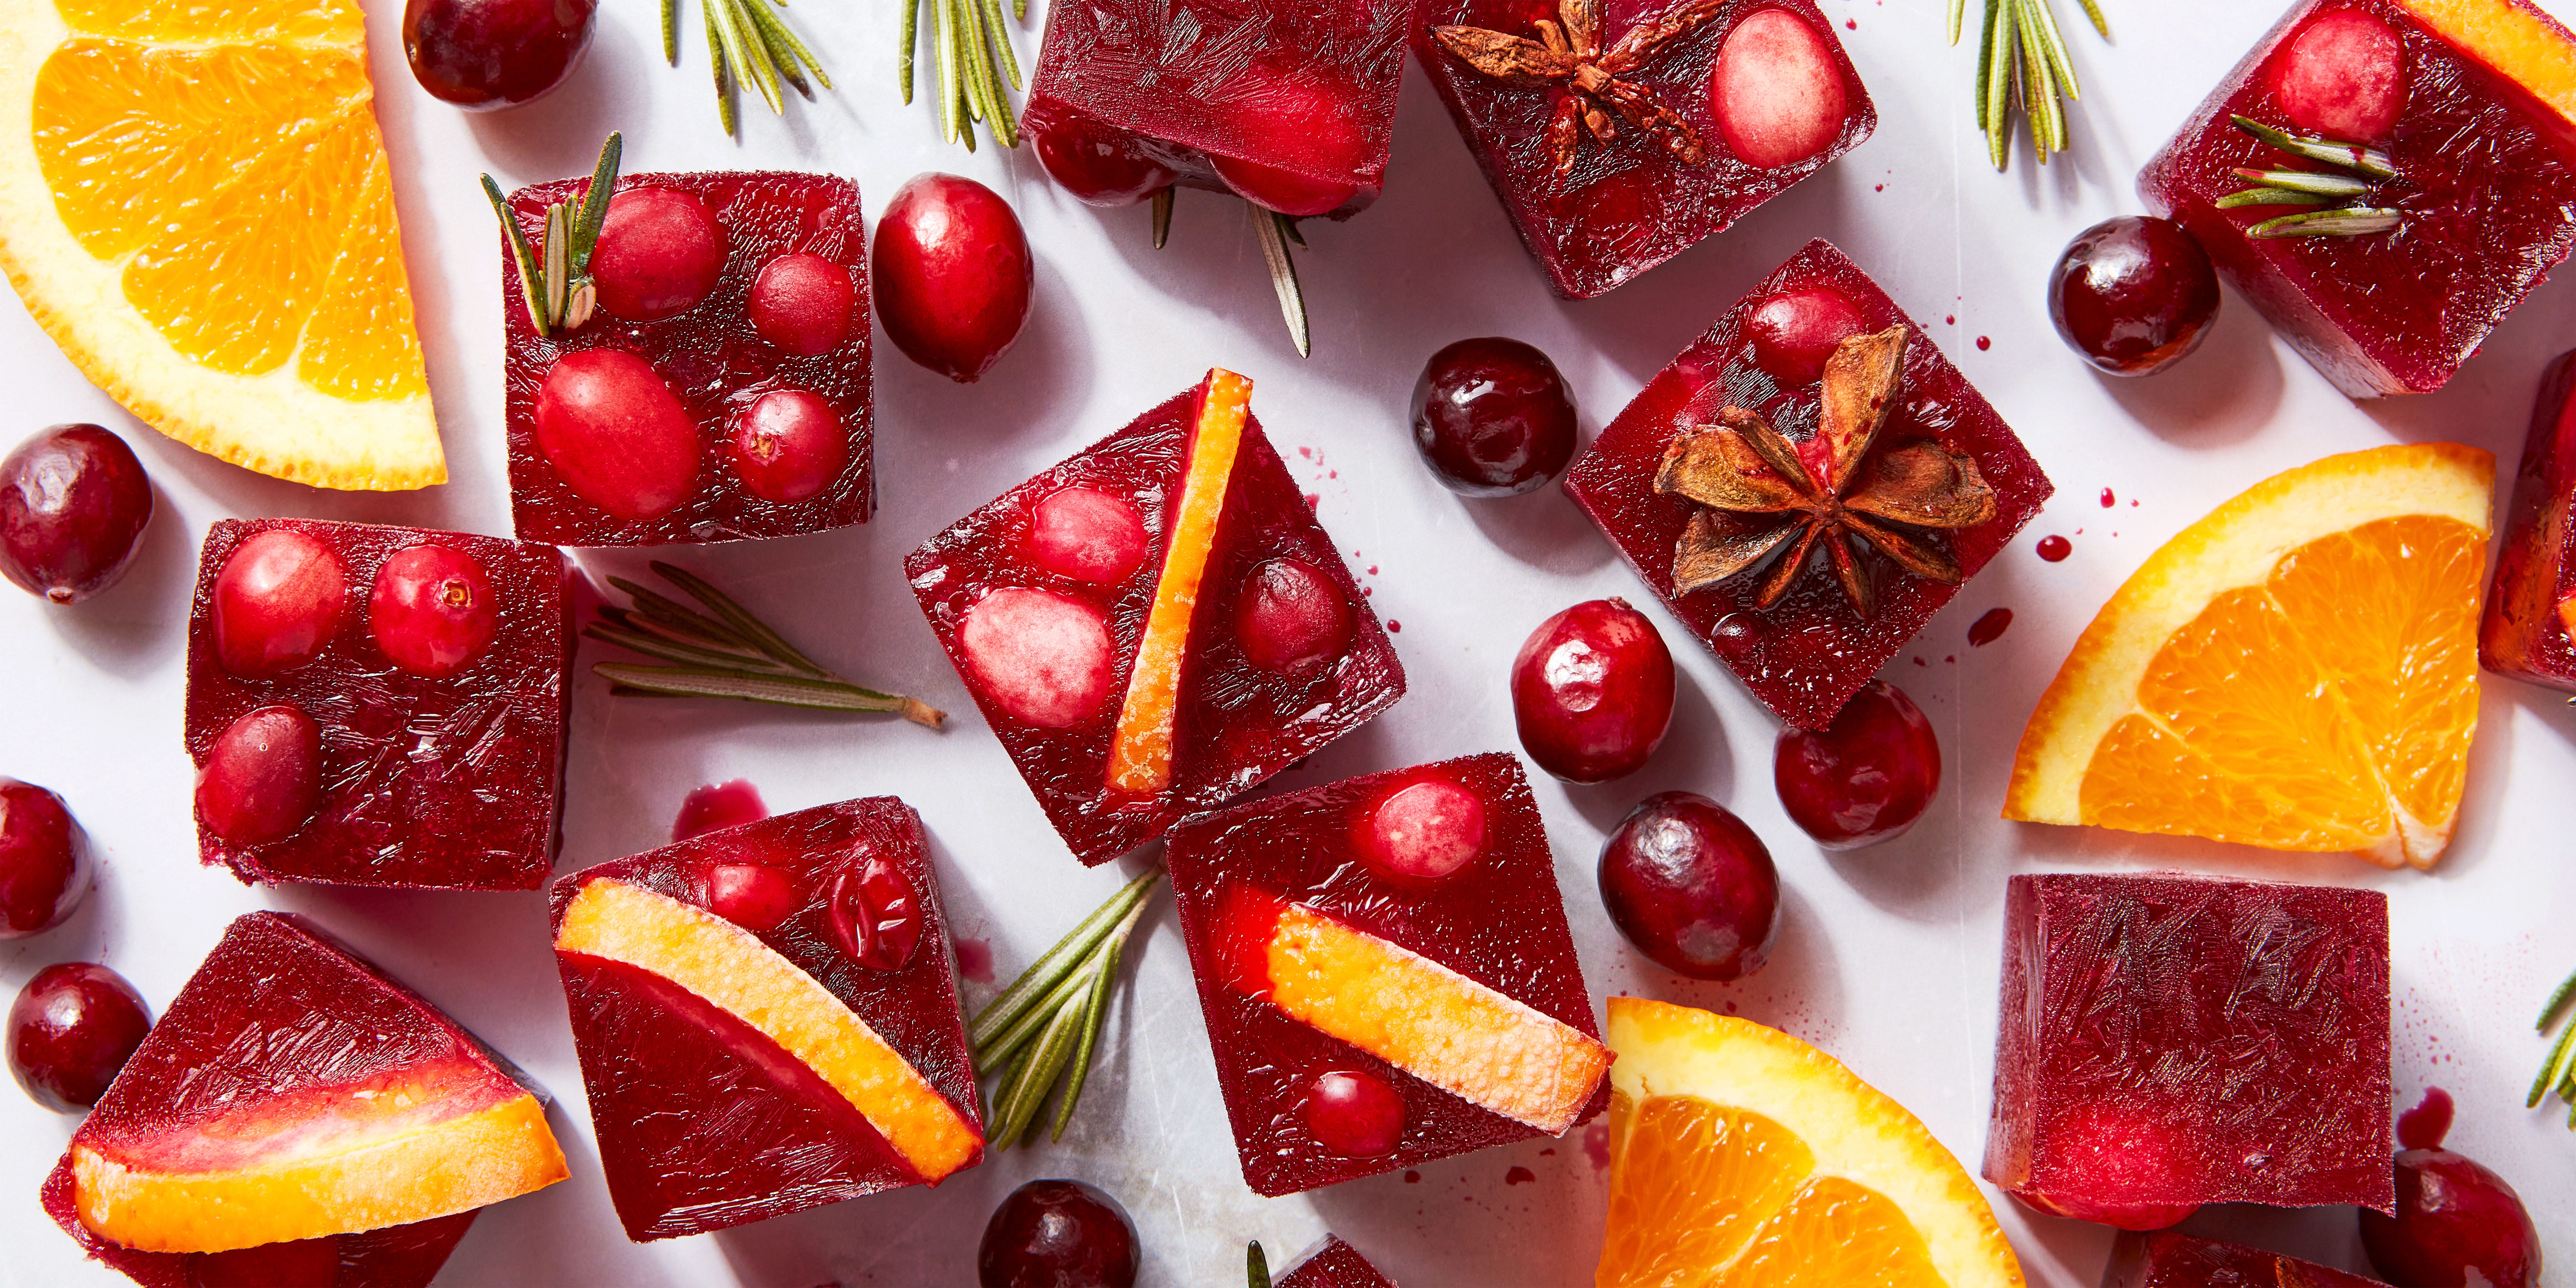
[[1766, 496]]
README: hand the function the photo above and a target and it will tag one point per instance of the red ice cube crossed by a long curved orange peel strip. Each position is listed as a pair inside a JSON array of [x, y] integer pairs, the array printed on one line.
[[769, 1019]]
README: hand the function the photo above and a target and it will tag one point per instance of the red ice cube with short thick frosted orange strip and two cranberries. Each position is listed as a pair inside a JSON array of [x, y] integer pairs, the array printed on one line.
[[1387, 972]]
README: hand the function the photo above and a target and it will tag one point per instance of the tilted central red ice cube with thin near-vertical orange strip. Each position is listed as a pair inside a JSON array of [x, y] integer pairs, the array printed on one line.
[[1050, 596]]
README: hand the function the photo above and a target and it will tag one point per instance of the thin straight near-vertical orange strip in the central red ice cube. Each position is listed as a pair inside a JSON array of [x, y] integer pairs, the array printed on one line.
[[1142, 746]]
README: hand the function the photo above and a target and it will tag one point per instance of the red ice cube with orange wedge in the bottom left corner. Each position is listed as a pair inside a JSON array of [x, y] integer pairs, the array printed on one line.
[[298, 1094]]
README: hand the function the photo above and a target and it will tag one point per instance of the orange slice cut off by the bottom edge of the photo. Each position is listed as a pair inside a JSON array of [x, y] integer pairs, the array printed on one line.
[[1743, 1158]]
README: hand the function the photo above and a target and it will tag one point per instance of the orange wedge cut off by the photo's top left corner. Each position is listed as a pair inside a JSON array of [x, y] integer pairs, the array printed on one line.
[[197, 207]]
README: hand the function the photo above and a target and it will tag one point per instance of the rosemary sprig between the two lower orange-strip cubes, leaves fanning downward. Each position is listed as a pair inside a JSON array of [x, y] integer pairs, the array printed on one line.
[[1047, 1024]]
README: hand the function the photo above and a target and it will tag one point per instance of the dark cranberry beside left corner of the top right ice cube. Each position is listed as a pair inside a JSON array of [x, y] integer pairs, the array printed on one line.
[[2134, 295]]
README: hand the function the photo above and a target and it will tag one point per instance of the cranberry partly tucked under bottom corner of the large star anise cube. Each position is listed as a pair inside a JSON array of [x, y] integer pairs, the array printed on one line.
[[1866, 777]]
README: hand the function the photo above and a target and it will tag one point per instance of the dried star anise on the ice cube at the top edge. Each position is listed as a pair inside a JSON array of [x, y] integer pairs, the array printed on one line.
[[1570, 53]]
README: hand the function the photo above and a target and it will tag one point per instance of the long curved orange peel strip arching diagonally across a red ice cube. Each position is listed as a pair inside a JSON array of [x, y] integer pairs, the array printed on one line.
[[733, 970]]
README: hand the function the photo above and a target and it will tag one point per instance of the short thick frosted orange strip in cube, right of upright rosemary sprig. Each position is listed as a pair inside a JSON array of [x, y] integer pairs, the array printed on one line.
[[1431, 1021]]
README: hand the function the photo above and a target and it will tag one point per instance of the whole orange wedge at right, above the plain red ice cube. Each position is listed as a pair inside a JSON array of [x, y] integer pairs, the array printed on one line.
[[2297, 671]]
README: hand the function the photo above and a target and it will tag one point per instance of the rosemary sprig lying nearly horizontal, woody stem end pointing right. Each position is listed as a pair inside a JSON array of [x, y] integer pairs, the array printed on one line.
[[725, 653]]
